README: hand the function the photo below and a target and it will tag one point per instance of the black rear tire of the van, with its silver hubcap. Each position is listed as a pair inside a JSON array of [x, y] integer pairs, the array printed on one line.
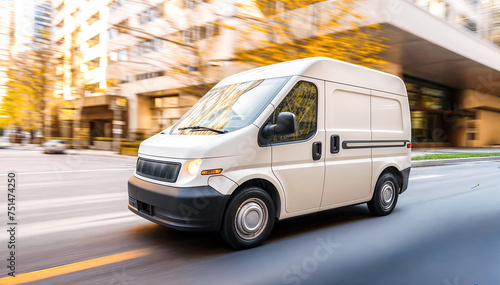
[[385, 196]]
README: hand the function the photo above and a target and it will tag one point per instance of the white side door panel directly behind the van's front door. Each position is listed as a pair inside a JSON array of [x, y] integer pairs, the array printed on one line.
[[348, 160]]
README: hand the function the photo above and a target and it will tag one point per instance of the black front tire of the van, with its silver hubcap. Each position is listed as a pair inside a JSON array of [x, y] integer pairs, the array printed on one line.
[[249, 218]]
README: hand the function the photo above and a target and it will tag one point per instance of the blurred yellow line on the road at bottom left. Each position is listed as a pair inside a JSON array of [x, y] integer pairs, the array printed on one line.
[[73, 267]]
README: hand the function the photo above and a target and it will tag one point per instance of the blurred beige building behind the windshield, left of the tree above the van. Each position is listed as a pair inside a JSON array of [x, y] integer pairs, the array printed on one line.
[[165, 55]]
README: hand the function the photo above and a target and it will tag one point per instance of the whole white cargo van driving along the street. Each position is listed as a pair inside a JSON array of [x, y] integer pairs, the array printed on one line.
[[277, 142]]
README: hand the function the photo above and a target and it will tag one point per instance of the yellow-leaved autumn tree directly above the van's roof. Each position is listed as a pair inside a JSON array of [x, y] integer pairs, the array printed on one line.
[[282, 30]]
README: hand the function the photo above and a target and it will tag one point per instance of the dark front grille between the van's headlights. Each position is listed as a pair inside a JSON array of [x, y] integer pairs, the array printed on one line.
[[159, 170]]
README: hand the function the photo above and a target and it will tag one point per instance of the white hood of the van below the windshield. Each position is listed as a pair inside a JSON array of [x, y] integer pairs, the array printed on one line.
[[197, 146]]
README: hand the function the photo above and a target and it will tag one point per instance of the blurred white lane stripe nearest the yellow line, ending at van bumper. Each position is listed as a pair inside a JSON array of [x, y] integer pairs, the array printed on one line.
[[71, 224]]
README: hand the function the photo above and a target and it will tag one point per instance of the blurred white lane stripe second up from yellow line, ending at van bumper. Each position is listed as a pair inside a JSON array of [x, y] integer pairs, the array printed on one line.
[[68, 201]]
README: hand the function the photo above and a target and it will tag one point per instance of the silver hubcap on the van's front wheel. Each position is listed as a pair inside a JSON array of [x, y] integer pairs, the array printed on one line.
[[251, 218]]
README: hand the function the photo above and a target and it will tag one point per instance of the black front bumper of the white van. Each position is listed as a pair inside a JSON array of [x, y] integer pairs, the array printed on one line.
[[188, 209]]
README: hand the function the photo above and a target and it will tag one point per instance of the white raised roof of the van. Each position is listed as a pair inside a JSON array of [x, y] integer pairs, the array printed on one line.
[[326, 69]]
